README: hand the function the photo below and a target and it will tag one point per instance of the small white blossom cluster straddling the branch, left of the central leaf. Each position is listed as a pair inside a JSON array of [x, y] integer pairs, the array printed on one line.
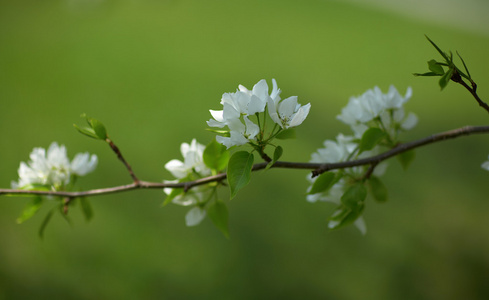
[[191, 168]]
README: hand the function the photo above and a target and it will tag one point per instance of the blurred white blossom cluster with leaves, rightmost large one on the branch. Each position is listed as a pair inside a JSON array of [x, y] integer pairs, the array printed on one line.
[[373, 109]]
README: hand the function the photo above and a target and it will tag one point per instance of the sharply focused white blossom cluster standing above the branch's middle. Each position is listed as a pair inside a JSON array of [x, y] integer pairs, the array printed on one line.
[[238, 107]]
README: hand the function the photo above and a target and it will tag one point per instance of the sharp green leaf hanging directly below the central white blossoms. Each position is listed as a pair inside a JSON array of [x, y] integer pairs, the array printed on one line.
[[239, 171]]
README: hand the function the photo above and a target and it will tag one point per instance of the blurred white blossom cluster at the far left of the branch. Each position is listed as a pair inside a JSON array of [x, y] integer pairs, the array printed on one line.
[[53, 168]]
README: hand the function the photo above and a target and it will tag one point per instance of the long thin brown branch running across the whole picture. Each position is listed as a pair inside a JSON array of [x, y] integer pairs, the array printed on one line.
[[316, 167]]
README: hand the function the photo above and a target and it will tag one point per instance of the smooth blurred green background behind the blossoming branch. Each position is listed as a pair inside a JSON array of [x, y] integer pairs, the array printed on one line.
[[150, 71]]
